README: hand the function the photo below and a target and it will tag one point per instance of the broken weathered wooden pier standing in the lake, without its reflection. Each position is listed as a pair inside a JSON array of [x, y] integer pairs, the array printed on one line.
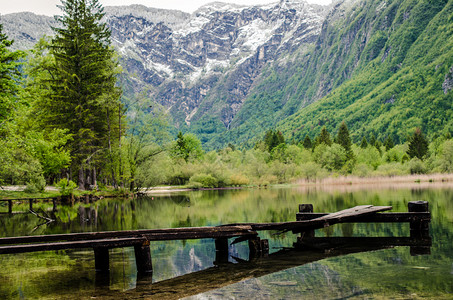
[[306, 223]]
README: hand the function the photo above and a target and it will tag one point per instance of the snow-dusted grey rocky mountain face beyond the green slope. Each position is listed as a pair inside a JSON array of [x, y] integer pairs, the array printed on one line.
[[197, 65]]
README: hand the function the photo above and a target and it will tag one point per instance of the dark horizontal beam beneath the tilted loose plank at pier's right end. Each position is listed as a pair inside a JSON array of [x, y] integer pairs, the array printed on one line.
[[374, 218]]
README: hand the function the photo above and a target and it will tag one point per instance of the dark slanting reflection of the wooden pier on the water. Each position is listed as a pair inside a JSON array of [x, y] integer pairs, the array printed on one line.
[[225, 273]]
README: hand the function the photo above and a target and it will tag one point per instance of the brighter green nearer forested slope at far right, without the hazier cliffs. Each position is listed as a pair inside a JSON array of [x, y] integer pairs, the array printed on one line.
[[404, 87]]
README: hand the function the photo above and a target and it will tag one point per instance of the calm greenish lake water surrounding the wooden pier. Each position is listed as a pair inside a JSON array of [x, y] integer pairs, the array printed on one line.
[[187, 269]]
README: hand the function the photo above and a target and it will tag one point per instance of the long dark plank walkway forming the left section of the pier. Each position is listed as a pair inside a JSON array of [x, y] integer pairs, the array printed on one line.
[[150, 234]]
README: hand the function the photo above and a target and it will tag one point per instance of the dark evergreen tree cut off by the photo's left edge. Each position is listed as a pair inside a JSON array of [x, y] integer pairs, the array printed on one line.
[[9, 76]]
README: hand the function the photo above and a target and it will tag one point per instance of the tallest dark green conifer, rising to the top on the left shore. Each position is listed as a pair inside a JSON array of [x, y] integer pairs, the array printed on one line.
[[84, 98]]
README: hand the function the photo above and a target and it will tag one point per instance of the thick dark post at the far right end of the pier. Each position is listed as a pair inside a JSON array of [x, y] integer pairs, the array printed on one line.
[[419, 229]]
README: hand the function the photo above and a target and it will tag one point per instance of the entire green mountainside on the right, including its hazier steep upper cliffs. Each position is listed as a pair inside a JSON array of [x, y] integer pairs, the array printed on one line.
[[382, 67]]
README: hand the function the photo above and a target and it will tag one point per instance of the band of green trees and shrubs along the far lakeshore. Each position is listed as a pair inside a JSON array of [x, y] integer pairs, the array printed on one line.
[[64, 121]]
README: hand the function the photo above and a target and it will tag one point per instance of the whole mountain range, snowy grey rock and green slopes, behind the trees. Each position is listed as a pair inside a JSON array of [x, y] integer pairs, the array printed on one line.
[[228, 72]]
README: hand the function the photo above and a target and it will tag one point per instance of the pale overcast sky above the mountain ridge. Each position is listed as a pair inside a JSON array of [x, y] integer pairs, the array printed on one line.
[[48, 7]]
